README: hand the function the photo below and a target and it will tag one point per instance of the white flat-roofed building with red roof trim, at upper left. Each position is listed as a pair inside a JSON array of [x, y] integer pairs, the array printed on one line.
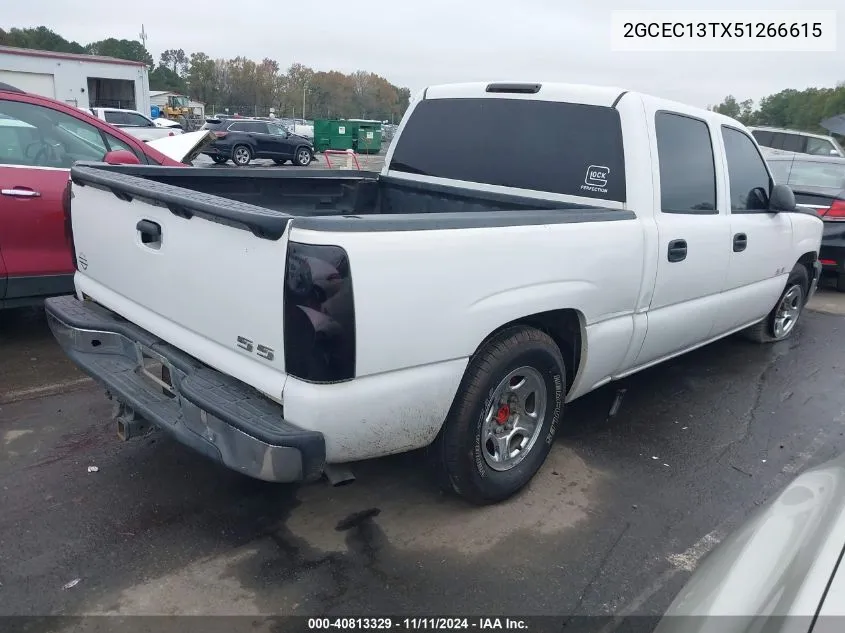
[[86, 81]]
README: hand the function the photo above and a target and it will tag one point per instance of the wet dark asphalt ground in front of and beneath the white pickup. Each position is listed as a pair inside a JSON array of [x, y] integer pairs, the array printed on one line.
[[613, 524]]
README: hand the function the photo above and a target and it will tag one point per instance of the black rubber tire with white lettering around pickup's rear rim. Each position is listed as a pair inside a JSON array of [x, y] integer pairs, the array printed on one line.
[[459, 455]]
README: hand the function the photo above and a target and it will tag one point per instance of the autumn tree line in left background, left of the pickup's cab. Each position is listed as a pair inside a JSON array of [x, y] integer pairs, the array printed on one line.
[[240, 84]]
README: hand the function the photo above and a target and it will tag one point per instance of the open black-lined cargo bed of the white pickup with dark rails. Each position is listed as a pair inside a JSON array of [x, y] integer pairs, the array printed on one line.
[[265, 200]]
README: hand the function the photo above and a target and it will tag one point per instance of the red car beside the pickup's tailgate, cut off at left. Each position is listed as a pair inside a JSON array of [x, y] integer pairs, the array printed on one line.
[[40, 139]]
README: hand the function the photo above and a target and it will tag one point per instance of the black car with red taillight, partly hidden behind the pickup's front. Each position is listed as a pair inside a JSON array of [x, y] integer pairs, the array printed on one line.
[[819, 186]]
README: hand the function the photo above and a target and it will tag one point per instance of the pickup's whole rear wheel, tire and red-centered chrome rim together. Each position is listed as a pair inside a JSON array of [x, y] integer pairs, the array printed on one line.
[[503, 420]]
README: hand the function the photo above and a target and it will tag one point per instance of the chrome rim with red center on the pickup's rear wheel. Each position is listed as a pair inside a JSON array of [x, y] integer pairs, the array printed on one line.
[[513, 420]]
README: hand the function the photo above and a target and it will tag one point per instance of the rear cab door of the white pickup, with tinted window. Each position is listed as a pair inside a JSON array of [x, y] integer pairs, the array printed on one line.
[[693, 233]]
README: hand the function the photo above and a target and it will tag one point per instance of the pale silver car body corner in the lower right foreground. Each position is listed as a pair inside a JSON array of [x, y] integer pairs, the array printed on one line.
[[779, 572]]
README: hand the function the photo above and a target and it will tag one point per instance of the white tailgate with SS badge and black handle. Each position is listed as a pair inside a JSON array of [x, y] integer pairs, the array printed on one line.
[[204, 273]]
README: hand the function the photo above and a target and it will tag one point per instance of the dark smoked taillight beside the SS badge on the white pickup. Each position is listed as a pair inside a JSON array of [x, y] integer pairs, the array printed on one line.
[[319, 314]]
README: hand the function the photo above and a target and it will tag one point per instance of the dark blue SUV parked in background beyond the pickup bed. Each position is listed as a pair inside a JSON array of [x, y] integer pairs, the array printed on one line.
[[242, 140]]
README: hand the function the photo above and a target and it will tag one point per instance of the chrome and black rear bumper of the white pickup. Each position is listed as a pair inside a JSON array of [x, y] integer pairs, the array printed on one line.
[[203, 408]]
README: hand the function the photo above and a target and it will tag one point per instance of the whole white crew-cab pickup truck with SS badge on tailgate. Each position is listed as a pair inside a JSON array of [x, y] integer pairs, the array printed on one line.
[[286, 324]]
